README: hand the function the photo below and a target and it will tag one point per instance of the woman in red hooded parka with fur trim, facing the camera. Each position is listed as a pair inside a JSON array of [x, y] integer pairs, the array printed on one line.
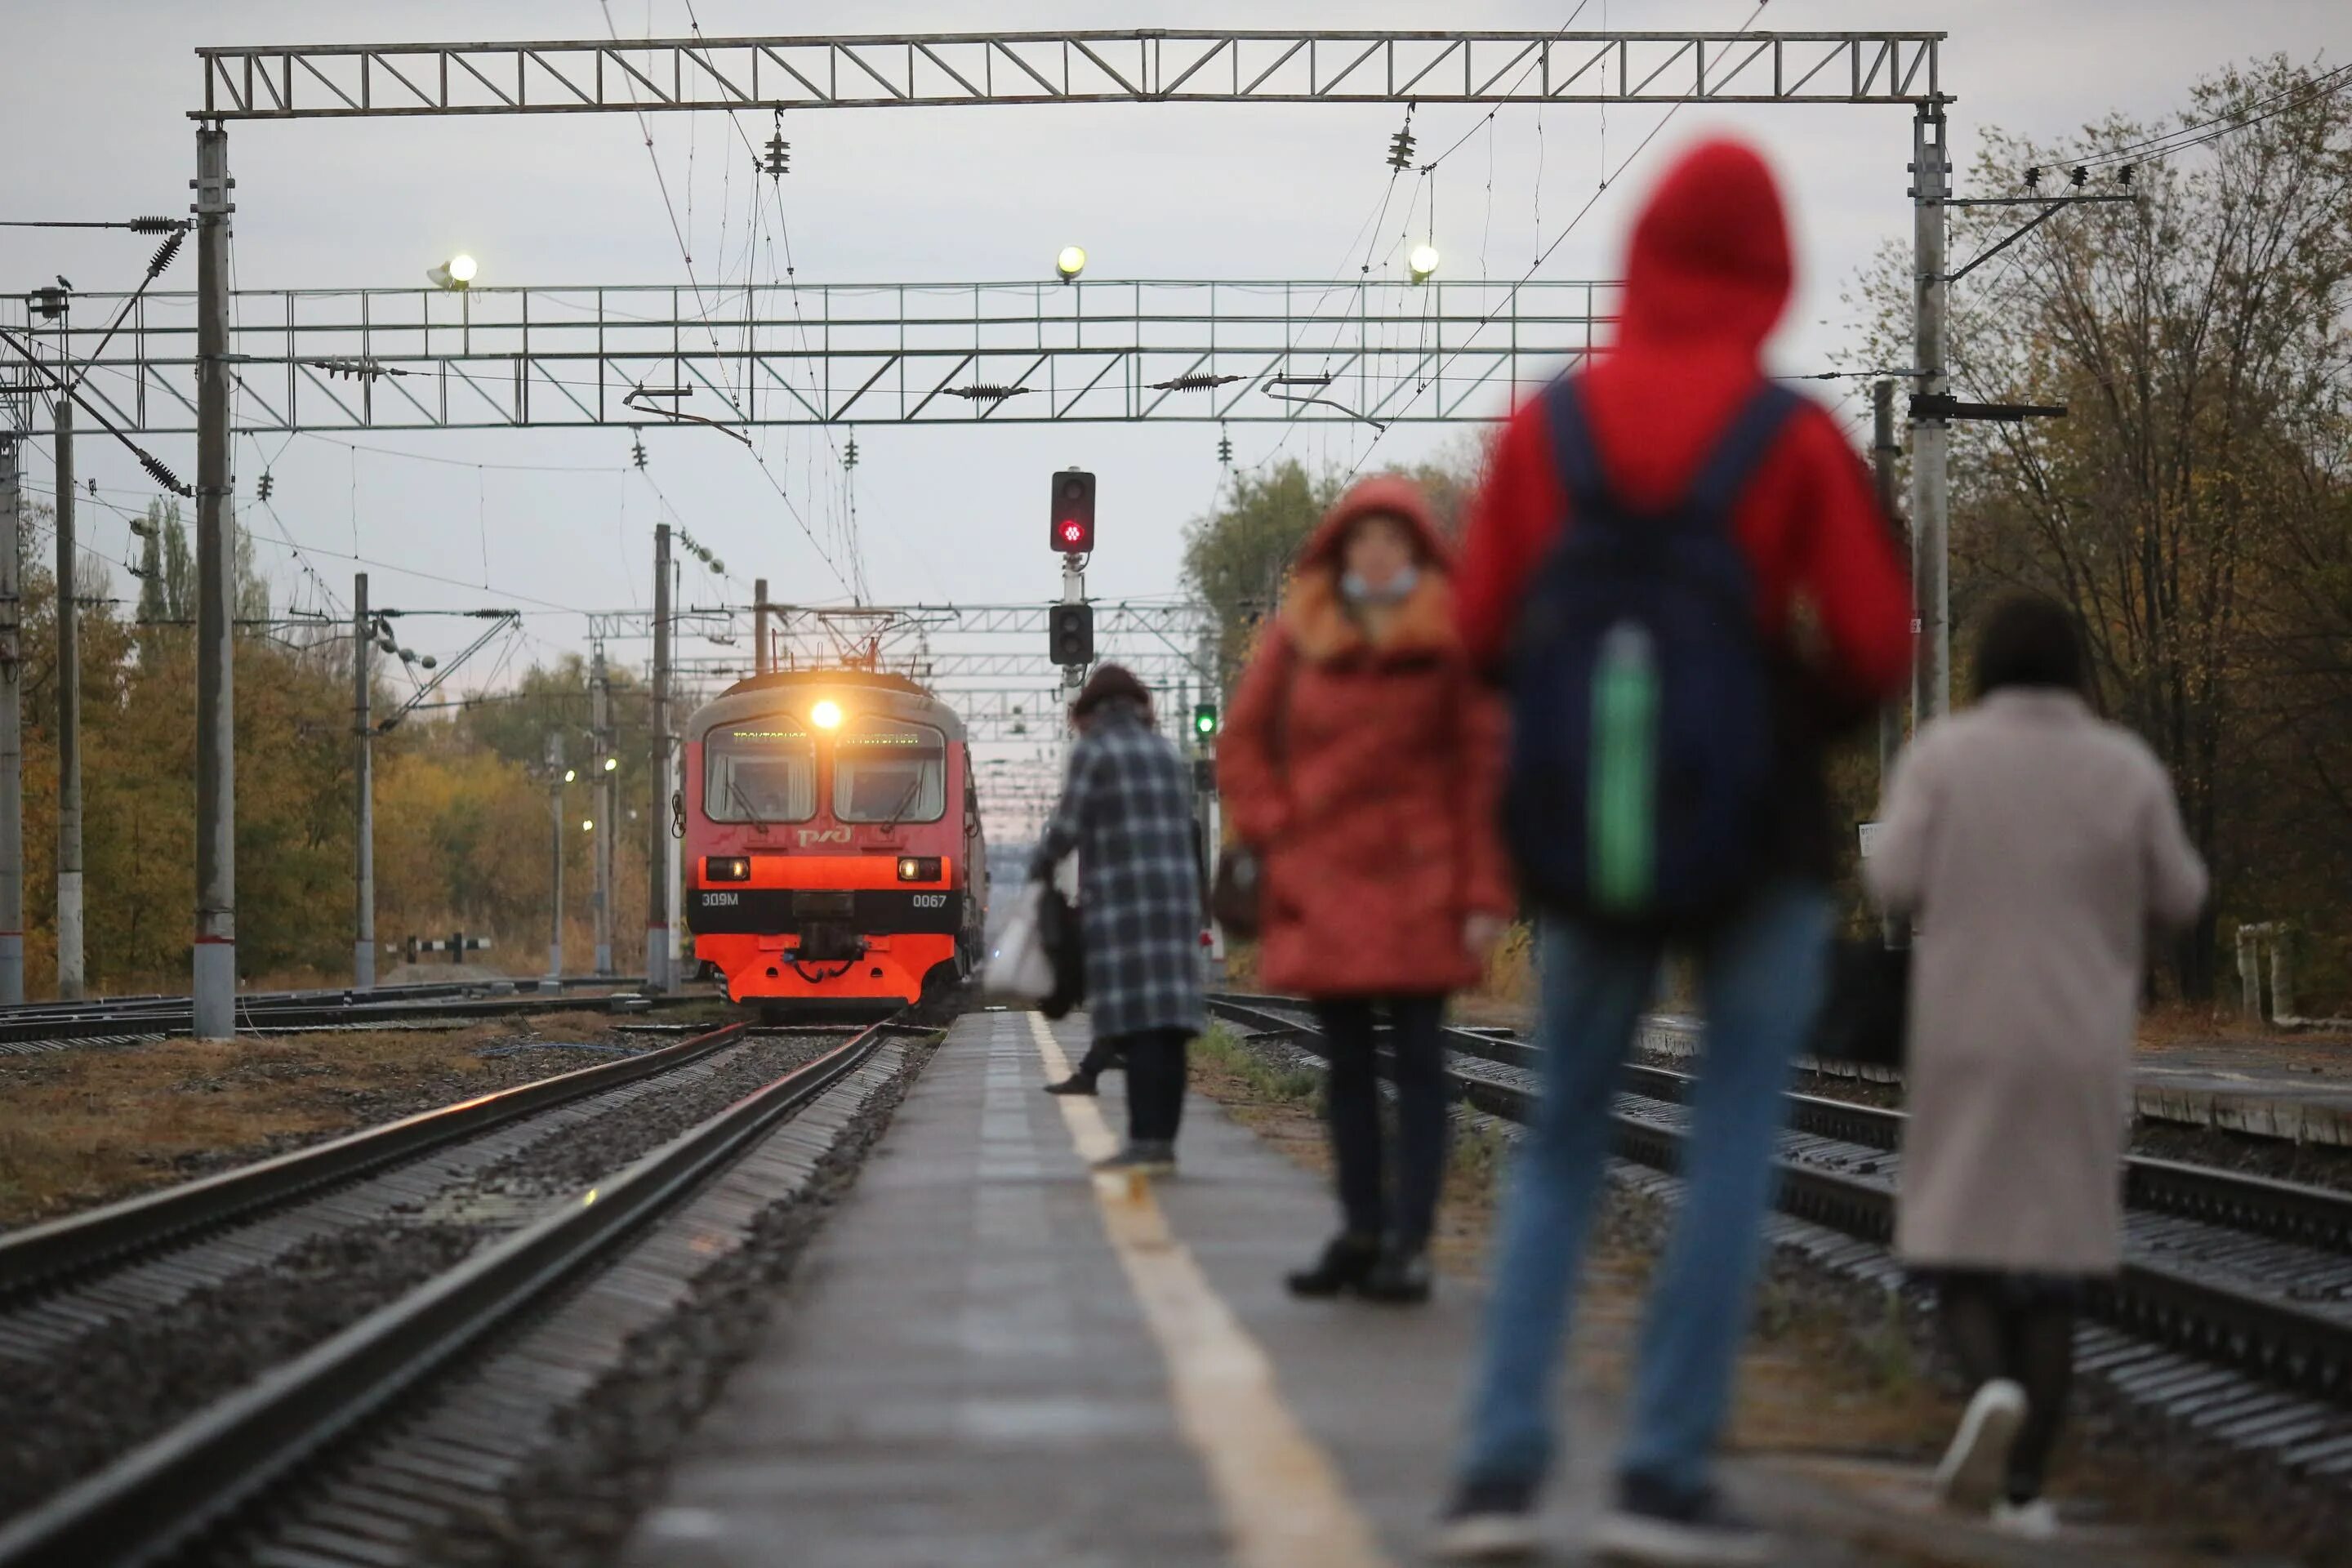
[[1361, 763]]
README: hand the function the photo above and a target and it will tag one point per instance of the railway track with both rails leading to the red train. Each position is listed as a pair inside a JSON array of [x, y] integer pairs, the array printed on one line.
[[171, 1358]]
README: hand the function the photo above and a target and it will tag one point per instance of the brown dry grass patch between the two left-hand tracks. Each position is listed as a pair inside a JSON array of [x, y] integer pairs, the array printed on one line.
[[95, 1125]]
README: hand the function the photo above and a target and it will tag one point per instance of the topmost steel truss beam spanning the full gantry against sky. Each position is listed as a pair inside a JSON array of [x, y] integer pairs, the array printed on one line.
[[1118, 67]]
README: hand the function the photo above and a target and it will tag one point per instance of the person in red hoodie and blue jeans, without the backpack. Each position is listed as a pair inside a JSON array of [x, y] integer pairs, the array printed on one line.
[[1706, 281]]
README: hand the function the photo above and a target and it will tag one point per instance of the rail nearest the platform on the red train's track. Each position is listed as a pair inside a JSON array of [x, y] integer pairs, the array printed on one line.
[[199, 1473]]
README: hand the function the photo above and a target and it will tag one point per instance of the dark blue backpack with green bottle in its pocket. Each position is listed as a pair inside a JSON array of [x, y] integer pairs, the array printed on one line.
[[1643, 732]]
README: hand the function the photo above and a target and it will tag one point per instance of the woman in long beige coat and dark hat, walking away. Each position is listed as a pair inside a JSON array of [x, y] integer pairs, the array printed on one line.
[[2038, 847]]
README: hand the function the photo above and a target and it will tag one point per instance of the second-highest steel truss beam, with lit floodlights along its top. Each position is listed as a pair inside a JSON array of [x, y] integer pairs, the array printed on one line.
[[843, 354]]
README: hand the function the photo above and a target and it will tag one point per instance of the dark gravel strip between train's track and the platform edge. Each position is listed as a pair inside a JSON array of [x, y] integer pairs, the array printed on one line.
[[592, 1400]]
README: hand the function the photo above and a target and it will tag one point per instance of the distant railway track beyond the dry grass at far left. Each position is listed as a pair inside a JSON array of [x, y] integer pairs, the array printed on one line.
[[55, 1026]]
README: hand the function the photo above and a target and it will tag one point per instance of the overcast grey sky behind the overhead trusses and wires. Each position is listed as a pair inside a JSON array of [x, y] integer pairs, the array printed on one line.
[[95, 116]]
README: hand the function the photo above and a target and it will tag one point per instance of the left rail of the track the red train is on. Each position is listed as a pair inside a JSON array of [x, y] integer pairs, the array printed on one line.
[[46, 1257]]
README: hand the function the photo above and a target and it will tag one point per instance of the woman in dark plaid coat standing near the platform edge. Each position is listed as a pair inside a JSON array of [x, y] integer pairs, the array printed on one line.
[[1128, 812]]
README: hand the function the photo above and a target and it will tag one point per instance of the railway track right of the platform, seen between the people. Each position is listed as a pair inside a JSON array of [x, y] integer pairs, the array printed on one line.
[[2233, 1308]]
